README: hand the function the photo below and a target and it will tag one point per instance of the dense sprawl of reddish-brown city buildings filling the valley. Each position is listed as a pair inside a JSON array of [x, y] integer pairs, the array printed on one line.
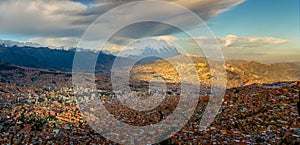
[[249, 115]]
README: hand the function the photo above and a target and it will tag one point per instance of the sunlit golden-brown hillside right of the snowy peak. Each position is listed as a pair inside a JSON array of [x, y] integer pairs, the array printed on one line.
[[239, 72]]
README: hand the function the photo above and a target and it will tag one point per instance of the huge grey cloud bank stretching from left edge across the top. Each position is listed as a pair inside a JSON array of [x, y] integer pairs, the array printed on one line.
[[66, 18]]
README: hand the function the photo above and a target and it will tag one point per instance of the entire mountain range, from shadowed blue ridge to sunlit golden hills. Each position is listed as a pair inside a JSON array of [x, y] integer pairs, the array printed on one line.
[[239, 72]]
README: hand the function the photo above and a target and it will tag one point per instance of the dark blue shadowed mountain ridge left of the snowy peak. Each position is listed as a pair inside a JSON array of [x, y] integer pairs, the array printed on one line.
[[46, 58]]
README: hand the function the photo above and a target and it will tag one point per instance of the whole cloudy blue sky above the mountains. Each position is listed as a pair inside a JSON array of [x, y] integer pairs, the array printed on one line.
[[261, 30]]
